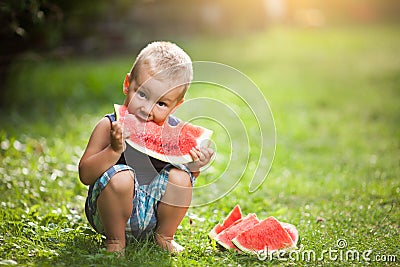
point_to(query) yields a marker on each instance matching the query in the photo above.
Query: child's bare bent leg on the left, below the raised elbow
(115, 207)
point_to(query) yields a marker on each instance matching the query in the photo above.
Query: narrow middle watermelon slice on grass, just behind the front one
(225, 237)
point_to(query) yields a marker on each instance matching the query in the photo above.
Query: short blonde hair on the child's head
(164, 61)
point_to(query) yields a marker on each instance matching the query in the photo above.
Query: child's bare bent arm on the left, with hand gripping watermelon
(103, 150)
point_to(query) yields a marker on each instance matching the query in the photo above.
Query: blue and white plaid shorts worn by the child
(143, 219)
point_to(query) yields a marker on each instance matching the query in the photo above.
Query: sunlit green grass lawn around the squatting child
(334, 94)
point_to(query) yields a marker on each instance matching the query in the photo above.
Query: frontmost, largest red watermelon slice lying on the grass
(267, 235)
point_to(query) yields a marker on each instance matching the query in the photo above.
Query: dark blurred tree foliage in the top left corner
(40, 25)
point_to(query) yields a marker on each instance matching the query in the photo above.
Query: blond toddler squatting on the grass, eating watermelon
(118, 202)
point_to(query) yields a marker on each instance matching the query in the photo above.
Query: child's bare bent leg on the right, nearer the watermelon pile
(172, 208)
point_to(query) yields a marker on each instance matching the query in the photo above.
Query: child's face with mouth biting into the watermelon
(151, 99)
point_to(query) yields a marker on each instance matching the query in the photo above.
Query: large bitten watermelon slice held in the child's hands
(164, 142)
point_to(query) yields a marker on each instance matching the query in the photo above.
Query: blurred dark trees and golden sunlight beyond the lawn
(63, 29)
